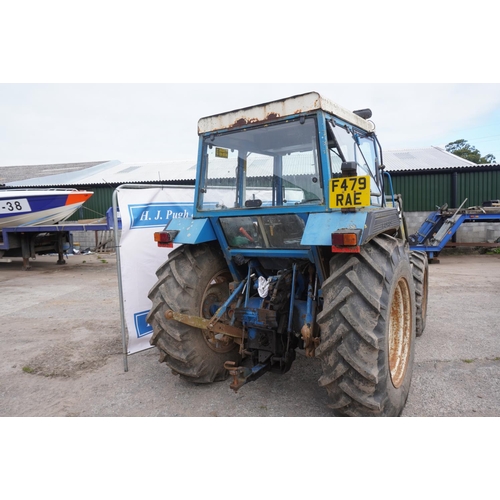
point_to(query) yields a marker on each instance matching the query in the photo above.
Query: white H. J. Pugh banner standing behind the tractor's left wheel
(143, 212)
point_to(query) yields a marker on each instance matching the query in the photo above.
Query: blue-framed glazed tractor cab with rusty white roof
(281, 156)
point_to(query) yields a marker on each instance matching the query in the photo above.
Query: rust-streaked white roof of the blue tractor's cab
(267, 112)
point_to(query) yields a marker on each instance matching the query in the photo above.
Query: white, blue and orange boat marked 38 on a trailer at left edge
(39, 207)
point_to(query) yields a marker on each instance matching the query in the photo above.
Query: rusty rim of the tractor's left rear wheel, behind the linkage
(216, 293)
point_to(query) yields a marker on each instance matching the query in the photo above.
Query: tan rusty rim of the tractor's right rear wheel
(400, 332)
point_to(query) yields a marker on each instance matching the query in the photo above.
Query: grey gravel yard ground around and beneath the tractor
(62, 351)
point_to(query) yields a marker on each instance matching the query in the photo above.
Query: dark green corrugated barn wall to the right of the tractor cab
(423, 192)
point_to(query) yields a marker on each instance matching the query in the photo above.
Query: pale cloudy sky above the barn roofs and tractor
(50, 123)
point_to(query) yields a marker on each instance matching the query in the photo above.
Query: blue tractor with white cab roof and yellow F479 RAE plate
(292, 245)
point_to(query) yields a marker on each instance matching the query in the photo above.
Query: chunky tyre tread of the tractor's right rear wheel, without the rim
(352, 325)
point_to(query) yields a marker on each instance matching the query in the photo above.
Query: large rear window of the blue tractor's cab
(269, 166)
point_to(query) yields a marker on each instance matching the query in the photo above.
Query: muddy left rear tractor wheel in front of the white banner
(193, 281)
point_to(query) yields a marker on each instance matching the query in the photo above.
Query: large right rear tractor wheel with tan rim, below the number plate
(368, 330)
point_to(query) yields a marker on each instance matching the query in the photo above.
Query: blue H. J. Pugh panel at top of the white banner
(158, 214)
